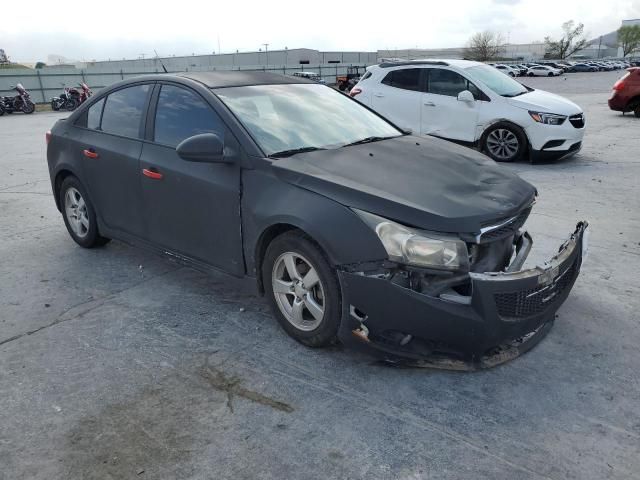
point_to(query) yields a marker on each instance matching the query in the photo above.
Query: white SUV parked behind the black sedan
(475, 104)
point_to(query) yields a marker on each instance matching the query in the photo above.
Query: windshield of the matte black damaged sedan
(291, 117)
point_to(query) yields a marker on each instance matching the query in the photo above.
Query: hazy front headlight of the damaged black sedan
(419, 248)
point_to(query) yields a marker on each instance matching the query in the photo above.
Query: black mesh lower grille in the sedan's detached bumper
(514, 306)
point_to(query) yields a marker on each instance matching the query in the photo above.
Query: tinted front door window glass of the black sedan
(181, 114)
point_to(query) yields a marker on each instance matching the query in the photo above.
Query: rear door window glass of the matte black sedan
(123, 111)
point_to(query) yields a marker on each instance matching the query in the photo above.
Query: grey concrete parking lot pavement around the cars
(115, 363)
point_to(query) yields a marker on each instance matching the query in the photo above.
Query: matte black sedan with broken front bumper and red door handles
(246, 173)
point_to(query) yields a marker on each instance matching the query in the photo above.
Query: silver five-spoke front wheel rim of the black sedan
(298, 291)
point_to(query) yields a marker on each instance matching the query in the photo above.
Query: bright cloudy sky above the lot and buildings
(127, 29)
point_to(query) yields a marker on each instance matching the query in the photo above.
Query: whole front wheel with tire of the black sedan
(303, 289)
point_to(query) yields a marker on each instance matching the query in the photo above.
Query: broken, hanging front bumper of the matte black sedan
(503, 315)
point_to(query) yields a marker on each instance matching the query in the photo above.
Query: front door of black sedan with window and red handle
(191, 208)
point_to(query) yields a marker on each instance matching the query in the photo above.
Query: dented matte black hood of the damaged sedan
(422, 182)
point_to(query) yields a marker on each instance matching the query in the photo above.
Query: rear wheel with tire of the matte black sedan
(79, 214)
